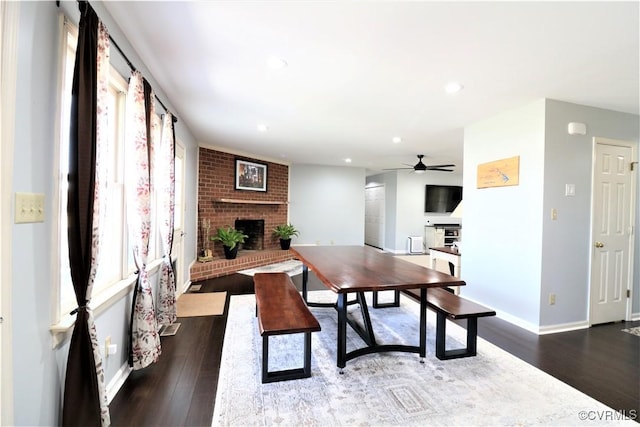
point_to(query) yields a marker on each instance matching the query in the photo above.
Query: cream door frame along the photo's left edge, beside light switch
(9, 25)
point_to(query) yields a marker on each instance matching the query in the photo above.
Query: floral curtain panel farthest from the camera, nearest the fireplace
(165, 184)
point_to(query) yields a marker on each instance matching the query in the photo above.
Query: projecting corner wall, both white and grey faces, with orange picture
(514, 254)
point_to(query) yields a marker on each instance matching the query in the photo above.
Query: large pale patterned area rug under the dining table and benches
(494, 388)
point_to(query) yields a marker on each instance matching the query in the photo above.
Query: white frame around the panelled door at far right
(632, 219)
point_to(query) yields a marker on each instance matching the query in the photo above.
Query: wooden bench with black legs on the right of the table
(446, 304)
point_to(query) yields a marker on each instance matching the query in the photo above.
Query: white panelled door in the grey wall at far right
(612, 212)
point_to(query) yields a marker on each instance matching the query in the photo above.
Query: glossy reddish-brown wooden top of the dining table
(361, 268)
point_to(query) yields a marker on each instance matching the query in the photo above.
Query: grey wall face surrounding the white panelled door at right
(566, 241)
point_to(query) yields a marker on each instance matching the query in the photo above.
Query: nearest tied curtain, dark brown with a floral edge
(85, 397)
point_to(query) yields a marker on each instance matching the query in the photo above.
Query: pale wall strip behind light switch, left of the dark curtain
(36, 384)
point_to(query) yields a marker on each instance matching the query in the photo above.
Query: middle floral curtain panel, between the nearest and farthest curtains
(145, 340)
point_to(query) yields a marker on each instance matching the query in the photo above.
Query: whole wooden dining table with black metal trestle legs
(354, 270)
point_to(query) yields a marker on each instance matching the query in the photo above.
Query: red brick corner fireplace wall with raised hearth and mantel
(221, 205)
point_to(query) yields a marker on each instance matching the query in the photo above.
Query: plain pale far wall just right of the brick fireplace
(327, 204)
